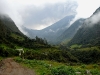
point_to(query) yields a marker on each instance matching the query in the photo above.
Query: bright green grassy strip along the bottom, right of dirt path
(44, 67)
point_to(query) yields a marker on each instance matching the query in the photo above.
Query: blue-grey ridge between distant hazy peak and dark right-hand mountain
(71, 31)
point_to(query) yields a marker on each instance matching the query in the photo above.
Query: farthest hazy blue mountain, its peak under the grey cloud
(52, 32)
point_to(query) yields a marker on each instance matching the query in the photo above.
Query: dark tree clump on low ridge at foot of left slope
(35, 43)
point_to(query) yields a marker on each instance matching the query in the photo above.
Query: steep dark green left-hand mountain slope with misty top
(9, 33)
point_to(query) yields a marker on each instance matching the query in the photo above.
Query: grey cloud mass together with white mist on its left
(37, 16)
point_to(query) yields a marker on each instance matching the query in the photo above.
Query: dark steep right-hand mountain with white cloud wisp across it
(89, 33)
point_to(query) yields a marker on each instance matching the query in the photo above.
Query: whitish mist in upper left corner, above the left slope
(9, 8)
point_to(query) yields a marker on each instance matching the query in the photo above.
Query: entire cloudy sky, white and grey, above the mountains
(38, 14)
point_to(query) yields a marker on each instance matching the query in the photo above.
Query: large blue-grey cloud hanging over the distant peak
(48, 14)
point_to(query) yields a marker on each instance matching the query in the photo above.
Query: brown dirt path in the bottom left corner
(10, 67)
